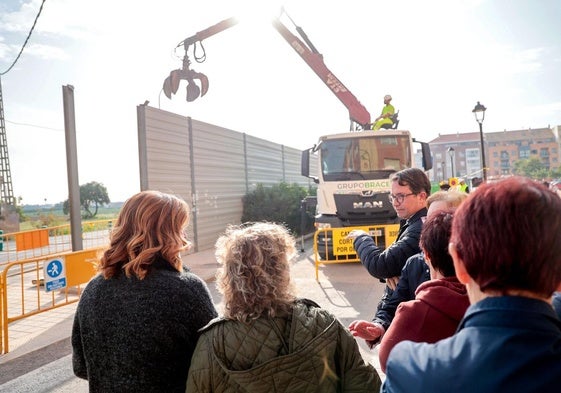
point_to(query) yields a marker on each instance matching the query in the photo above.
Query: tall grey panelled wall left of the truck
(211, 167)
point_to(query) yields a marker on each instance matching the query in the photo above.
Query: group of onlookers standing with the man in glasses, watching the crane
(472, 302)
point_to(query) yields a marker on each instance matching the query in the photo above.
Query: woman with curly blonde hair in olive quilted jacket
(268, 339)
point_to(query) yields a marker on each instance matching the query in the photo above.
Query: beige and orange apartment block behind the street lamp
(459, 155)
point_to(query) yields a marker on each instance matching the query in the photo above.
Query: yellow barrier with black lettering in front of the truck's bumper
(332, 246)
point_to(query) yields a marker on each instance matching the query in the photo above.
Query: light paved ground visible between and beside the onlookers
(345, 289)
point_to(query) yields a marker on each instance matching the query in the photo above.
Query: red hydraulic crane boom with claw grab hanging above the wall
(357, 112)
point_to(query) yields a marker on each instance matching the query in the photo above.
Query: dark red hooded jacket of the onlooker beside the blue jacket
(435, 314)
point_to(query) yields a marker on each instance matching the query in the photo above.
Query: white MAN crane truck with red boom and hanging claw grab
(354, 168)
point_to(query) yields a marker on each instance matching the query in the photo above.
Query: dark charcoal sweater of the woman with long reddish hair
(132, 335)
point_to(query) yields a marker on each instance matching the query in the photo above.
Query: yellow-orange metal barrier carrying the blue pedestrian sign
(36, 285)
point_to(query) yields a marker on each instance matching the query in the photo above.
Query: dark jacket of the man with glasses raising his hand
(386, 263)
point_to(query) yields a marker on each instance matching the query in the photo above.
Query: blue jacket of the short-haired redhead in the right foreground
(503, 344)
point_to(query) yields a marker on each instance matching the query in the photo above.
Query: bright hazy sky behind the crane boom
(436, 58)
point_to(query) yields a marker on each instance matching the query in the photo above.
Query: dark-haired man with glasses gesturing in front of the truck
(409, 191)
